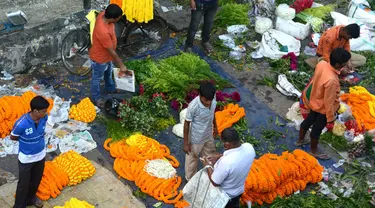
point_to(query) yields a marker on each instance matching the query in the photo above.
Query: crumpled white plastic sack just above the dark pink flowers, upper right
(270, 47)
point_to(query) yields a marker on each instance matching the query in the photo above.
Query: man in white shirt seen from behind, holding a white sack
(230, 169)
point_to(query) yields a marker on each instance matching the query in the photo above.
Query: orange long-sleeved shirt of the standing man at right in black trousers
(322, 95)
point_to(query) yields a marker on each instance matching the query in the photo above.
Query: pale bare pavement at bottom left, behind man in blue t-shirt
(103, 190)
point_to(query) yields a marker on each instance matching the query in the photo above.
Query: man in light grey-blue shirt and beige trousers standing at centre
(200, 128)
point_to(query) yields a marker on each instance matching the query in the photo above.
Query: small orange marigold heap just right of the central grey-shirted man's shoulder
(230, 115)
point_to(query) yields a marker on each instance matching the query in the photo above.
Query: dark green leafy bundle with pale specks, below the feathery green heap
(145, 115)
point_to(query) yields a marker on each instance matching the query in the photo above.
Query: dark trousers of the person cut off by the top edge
(207, 11)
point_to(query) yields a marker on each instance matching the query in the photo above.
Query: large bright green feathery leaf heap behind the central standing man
(180, 74)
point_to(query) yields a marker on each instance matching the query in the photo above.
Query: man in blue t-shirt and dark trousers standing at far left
(29, 131)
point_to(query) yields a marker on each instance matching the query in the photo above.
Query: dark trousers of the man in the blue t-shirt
(30, 175)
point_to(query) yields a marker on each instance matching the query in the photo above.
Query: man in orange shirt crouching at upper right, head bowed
(338, 37)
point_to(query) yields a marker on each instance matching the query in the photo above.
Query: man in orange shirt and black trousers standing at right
(322, 98)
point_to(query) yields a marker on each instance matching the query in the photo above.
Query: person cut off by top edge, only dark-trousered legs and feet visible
(199, 9)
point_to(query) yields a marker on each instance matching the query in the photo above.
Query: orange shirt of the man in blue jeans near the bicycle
(103, 37)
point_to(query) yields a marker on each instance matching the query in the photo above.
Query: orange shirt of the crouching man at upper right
(329, 41)
